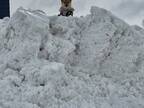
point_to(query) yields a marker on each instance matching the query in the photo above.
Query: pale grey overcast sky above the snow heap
(132, 11)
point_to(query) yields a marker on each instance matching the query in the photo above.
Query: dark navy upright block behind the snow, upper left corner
(4, 8)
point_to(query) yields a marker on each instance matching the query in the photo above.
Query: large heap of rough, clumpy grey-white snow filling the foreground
(96, 61)
